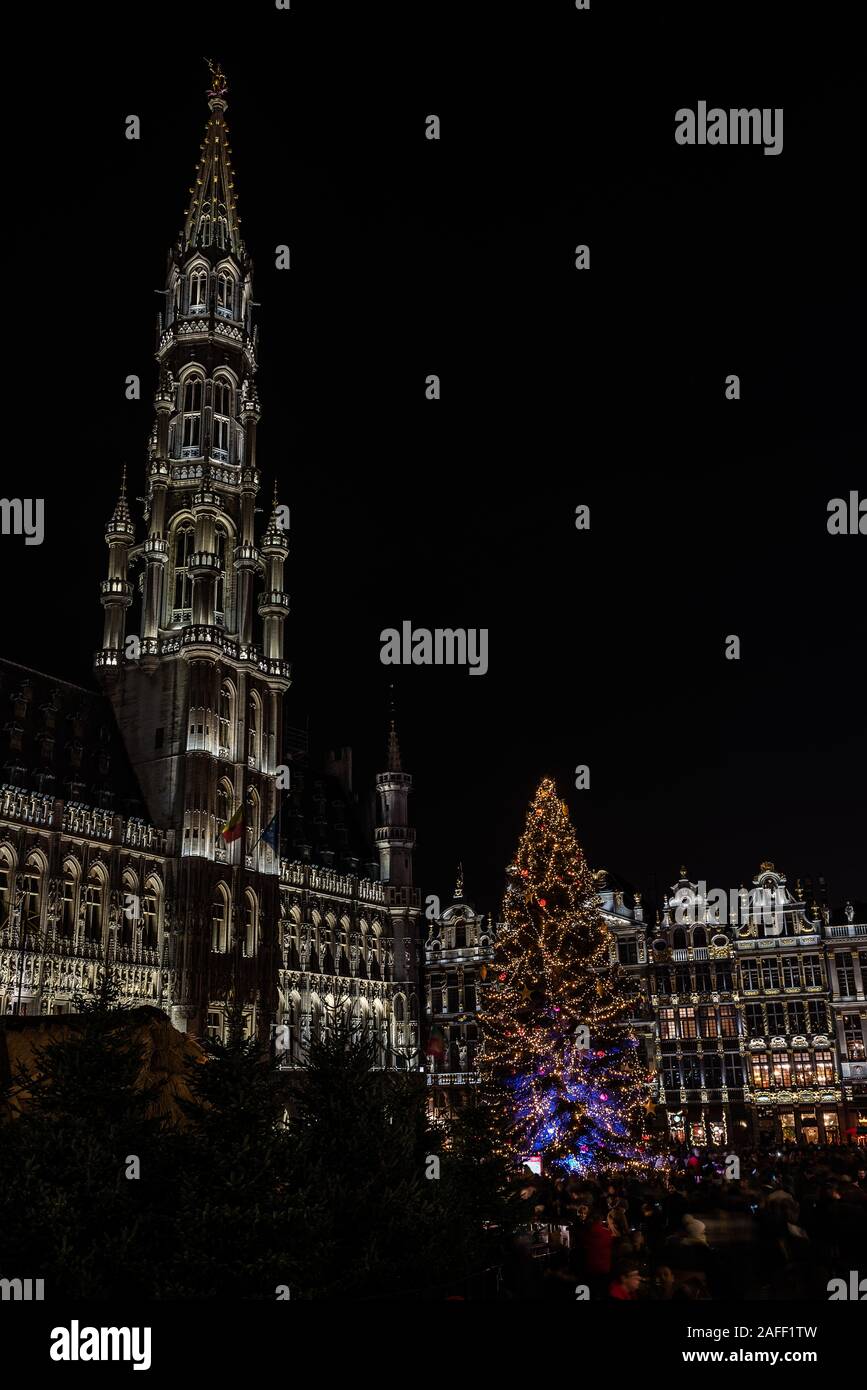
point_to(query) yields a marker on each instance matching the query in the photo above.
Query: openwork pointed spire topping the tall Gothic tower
(212, 218)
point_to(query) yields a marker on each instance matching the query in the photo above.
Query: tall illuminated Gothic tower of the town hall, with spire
(198, 687)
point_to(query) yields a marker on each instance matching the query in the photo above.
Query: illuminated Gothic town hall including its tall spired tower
(113, 806)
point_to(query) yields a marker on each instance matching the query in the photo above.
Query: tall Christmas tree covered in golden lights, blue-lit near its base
(561, 1067)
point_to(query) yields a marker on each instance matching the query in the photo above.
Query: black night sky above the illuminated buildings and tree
(558, 389)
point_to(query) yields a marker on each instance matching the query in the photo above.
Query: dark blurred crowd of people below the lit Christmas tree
(783, 1228)
